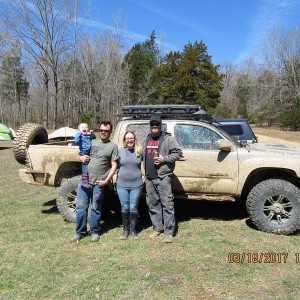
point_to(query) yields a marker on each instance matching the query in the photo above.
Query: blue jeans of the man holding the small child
(85, 196)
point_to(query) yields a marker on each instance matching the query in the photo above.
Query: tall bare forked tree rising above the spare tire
(43, 28)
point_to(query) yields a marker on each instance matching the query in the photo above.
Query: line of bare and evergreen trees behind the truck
(54, 74)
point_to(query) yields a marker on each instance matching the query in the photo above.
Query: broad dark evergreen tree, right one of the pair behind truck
(189, 77)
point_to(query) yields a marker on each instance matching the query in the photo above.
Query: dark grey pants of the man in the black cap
(161, 205)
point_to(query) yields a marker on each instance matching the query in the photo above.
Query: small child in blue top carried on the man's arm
(83, 138)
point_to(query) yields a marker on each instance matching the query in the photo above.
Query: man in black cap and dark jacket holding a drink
(160, 153)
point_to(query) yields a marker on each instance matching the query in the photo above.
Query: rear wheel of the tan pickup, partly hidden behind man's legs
(66, 199)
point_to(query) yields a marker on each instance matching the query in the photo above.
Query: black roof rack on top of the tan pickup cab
(172, 111)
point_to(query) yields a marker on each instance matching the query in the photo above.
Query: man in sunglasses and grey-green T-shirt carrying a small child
(101, 168)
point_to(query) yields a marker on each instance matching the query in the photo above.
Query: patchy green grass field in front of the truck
(38, 262)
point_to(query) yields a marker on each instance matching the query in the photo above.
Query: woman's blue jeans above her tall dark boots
(129, 198)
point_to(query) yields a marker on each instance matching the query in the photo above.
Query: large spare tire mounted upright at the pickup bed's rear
(28, 134)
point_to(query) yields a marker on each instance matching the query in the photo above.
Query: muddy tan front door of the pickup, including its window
(205, 169)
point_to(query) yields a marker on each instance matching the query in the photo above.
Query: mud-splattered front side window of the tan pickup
(196, 137)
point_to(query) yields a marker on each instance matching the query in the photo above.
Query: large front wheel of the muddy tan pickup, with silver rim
(274, 206)
